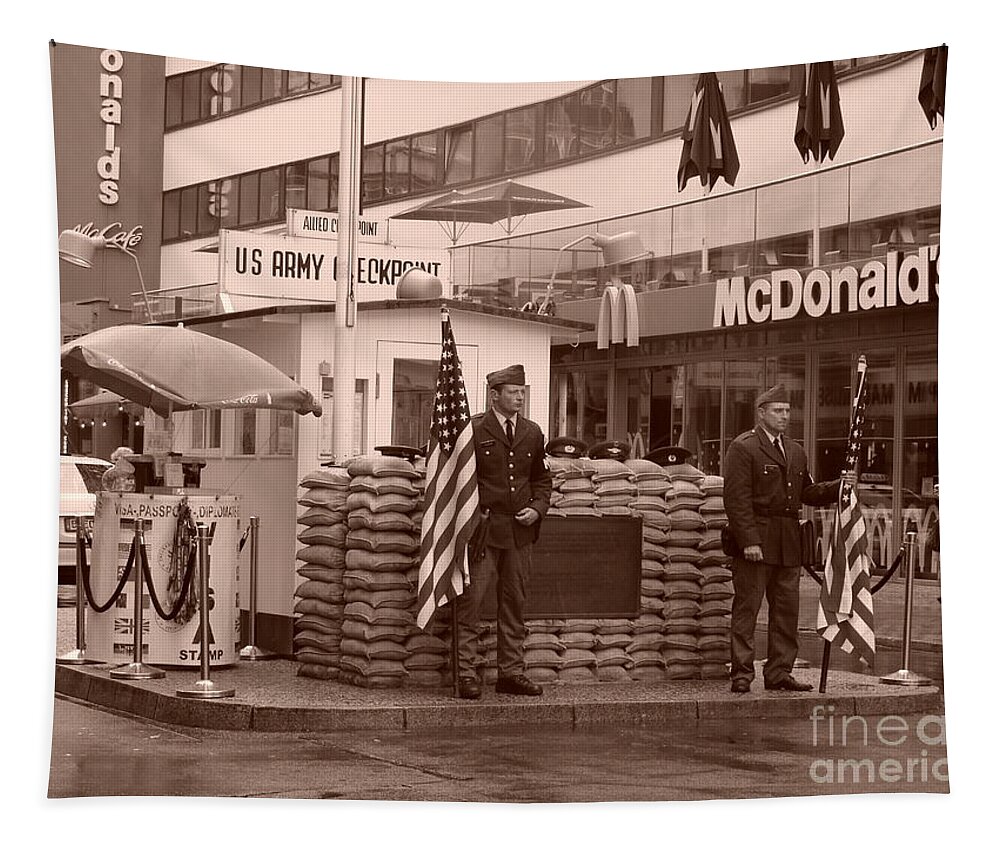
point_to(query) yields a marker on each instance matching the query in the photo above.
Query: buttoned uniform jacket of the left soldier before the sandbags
(511, 477)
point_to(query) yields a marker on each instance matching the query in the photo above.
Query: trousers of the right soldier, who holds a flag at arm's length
(752, 581)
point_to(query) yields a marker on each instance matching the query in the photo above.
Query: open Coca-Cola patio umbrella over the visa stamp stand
(173, 368)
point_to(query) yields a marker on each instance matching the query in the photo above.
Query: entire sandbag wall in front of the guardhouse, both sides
(356, 603)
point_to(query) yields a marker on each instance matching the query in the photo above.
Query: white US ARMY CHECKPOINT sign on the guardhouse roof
(262, 267)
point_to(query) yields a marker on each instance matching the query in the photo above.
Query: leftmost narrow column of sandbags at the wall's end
(319, 606)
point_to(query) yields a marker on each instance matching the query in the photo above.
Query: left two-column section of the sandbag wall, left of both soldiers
(355, 610)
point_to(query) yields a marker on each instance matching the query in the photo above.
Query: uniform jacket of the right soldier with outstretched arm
(763, 493)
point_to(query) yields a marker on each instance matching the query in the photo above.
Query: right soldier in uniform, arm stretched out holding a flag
(766, 482)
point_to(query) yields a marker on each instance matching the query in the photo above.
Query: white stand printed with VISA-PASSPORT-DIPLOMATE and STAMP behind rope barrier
(178, 642)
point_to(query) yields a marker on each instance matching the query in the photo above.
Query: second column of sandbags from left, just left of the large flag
(383, 540)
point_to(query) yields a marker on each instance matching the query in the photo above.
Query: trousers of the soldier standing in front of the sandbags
(511, 569)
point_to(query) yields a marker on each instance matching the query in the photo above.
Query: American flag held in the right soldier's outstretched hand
(846, 617)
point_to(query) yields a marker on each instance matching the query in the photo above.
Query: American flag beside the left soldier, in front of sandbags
(451, 499)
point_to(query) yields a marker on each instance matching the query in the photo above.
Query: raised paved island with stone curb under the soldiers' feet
(271, 697)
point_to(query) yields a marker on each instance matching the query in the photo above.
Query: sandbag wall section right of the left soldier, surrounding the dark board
(682, 631)
